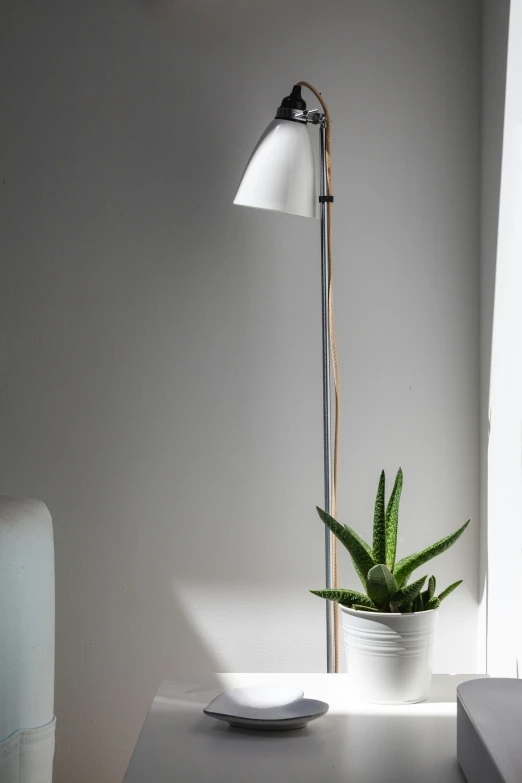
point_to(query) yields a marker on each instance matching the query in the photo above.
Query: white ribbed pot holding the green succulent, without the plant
(389, 656)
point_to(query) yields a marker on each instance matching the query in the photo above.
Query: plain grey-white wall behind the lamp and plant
(161, 348)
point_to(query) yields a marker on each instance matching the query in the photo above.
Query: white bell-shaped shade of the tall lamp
(281, 172)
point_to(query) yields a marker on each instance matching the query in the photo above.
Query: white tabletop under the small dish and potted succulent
(353, 743)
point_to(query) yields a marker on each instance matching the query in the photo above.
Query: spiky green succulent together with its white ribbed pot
(388, 629)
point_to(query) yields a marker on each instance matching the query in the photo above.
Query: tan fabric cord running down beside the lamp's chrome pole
(333, 350)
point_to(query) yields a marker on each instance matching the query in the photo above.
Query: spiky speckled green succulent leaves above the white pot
(384, 580)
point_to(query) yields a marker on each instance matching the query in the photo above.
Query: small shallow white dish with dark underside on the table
(266, 707)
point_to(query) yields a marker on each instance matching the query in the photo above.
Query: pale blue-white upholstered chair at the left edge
(26, 642)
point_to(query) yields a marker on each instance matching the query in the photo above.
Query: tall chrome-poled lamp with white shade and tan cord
(281, 176)
